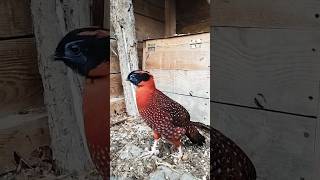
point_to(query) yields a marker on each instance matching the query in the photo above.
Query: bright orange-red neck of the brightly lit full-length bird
(144, 93)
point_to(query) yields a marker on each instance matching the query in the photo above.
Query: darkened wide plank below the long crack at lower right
(281, 146)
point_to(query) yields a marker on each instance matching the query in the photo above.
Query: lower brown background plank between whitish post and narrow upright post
(147, 28)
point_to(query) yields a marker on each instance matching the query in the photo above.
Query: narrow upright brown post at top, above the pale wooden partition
(170, 18)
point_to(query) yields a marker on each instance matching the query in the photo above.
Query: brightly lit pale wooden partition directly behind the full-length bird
(182, 71)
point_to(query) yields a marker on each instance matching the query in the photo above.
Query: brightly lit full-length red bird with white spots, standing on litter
(166, 117)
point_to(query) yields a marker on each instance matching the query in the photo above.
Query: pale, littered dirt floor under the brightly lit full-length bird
(131, 137)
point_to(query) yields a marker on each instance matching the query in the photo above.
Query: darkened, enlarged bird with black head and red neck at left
(86, 51)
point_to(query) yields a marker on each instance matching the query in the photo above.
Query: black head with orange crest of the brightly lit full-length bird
(140, 78)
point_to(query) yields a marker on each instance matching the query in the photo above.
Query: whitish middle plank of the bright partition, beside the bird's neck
(192, 83)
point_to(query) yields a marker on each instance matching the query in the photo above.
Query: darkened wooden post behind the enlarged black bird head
(62, 87)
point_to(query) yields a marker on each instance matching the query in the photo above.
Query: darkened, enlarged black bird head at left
(84, 49)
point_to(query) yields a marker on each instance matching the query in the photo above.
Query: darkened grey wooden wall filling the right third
(265, 76)
